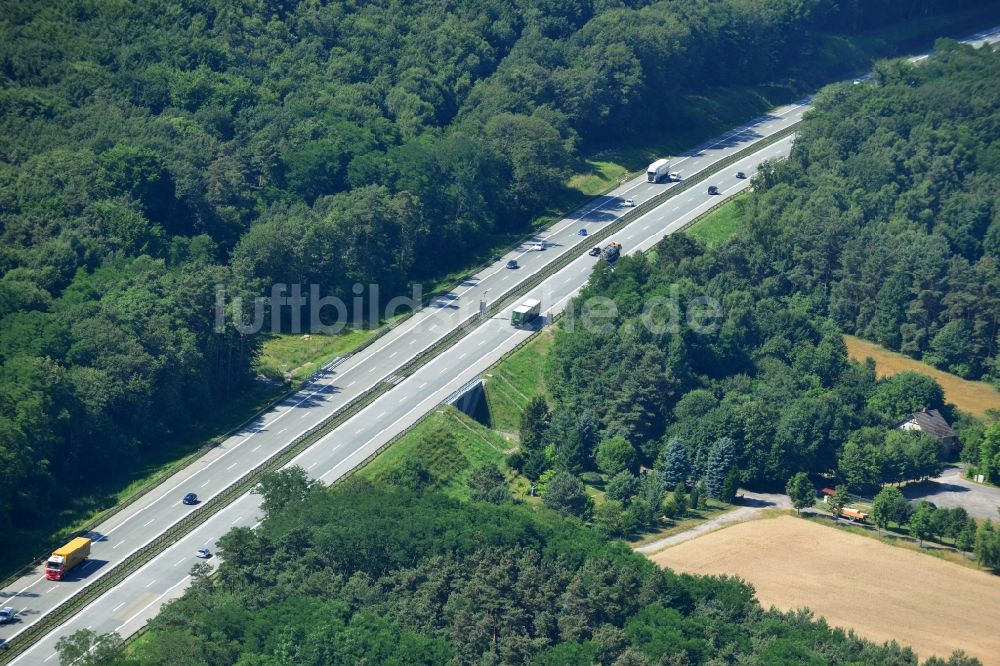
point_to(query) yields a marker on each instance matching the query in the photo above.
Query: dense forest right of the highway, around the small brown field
(770, 391)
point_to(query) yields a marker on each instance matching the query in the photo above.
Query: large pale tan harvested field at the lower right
(880, 591)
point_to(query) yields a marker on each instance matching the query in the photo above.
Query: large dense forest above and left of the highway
(152, 150)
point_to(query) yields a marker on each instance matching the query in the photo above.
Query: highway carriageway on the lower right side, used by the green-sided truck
(128, 606)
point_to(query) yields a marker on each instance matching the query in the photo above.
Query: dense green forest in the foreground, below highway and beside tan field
(366, 574)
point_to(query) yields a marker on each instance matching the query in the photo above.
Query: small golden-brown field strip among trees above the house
(972, 397)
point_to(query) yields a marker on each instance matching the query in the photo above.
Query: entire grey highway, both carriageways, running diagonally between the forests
(129, 605)
